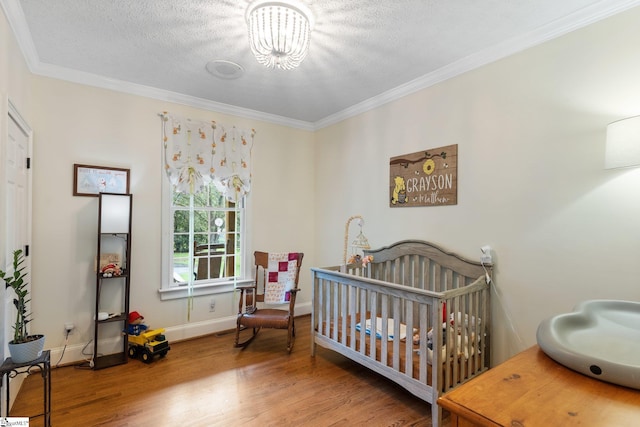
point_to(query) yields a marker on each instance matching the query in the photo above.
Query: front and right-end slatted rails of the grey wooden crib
(341, 302)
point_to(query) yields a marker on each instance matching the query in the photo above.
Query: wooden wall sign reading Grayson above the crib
(425, 178)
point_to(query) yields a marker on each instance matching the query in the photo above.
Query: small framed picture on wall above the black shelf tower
(93, 180)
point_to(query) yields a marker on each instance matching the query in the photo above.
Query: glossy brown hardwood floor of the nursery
(207, 382)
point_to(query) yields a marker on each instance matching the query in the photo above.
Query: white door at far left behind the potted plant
(16, 227)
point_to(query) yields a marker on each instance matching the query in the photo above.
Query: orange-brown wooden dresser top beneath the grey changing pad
(532, 390)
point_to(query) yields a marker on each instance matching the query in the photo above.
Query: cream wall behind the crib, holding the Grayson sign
(530, 131)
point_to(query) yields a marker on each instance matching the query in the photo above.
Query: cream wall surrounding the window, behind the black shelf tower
(79, 124)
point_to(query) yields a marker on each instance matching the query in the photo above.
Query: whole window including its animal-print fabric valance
(208, 171)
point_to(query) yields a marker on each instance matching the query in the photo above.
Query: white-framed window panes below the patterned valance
(204, 242)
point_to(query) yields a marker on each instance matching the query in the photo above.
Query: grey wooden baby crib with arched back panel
(416, 314)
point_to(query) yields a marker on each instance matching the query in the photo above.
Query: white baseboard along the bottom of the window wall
(73, 353)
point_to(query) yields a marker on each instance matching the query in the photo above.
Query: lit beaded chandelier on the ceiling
(279, 32)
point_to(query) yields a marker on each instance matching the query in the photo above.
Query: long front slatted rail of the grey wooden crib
(341, 302)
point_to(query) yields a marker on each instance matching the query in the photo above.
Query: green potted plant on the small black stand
(24, 347)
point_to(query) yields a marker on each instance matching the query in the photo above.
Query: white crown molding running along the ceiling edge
(586, 16)
